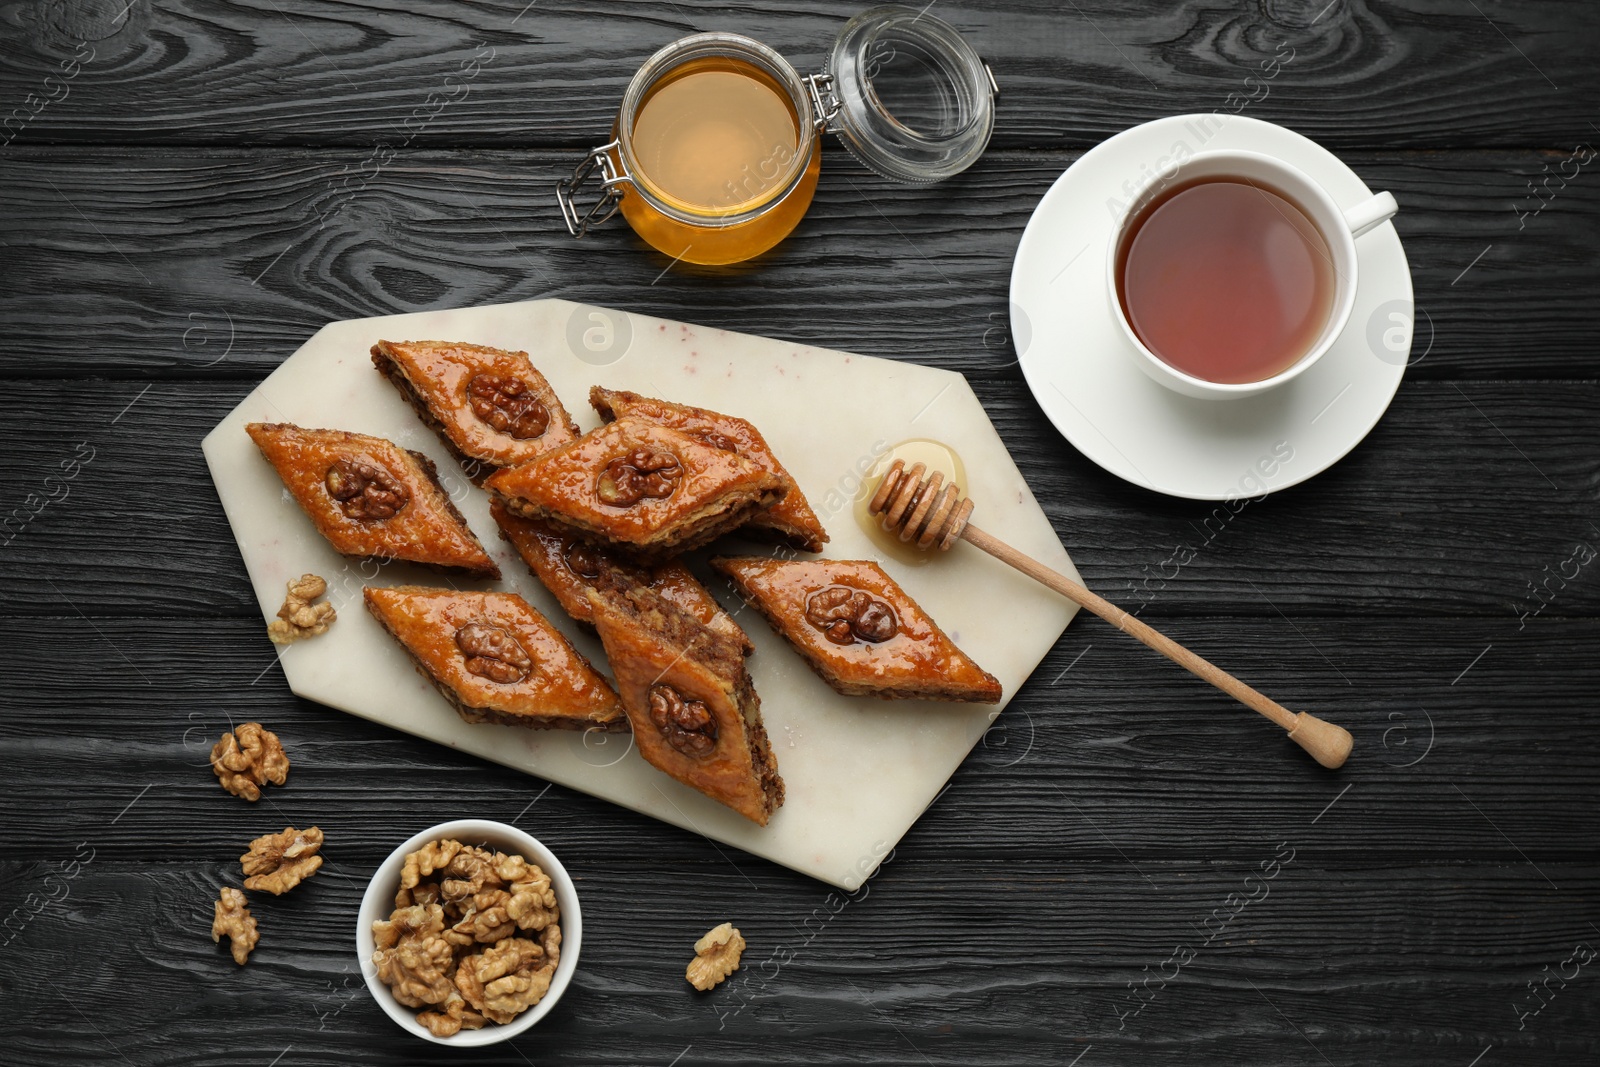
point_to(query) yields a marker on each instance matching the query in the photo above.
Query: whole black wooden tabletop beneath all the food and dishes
(178, 217)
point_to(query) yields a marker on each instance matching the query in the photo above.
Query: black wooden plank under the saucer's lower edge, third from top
(1487, 527)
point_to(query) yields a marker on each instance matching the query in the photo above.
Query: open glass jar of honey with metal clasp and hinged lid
(716, 151)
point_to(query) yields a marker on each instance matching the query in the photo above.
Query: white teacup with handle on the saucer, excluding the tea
(1338, 228)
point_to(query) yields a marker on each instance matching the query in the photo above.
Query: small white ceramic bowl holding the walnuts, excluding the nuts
(378, 903)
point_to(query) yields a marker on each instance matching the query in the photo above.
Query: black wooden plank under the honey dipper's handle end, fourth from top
(1102, 756)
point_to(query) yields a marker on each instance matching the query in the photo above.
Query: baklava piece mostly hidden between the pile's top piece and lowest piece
(570, 569)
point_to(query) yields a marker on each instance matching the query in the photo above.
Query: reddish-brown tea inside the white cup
(1226, 279)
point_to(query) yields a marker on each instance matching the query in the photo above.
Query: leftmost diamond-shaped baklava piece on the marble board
(372, 498)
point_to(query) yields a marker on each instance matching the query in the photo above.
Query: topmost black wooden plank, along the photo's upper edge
(1394, 74)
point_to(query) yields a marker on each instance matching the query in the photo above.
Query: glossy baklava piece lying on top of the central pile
(646, 490)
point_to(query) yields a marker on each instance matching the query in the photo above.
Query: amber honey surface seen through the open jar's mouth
(716, 137)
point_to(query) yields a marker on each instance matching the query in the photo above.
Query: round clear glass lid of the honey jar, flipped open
(916, 102)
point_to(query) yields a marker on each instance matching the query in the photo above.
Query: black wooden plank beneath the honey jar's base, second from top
(220, 263)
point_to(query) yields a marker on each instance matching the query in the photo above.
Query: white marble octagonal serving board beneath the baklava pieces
(858, 772)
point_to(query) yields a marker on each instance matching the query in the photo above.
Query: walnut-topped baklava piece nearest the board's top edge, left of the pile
(490, 407)
